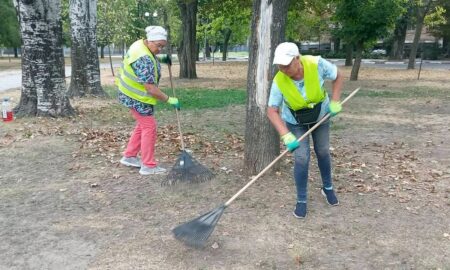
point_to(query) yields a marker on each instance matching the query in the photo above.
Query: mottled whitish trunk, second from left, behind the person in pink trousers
(85, 79)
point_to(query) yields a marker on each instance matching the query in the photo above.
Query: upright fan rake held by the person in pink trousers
(186, 168)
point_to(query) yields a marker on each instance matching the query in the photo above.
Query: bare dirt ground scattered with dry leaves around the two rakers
(66, 203)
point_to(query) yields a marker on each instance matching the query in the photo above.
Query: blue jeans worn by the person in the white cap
(321, 140)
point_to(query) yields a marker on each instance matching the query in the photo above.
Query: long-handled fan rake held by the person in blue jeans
(195, 232)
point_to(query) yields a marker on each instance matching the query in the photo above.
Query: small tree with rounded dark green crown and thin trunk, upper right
(362, 22)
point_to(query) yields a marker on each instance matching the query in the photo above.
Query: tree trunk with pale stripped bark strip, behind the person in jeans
(262, 142)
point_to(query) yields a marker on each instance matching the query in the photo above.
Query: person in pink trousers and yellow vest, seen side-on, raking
(139, 91)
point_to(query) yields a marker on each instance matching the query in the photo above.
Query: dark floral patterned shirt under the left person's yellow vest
(143, 68)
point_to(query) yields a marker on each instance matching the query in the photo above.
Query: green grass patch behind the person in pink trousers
(199, 98)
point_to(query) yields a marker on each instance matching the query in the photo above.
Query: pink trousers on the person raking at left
(143, 139)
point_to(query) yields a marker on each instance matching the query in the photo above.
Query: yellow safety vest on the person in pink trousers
(128, 83)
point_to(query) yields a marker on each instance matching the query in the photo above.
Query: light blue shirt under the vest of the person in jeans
(327, 71)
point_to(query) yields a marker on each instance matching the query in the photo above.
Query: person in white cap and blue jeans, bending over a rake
(298, 91)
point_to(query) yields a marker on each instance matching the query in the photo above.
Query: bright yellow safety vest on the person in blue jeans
(314, 92)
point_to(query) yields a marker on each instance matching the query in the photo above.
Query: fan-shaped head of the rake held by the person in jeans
(194, 233)
